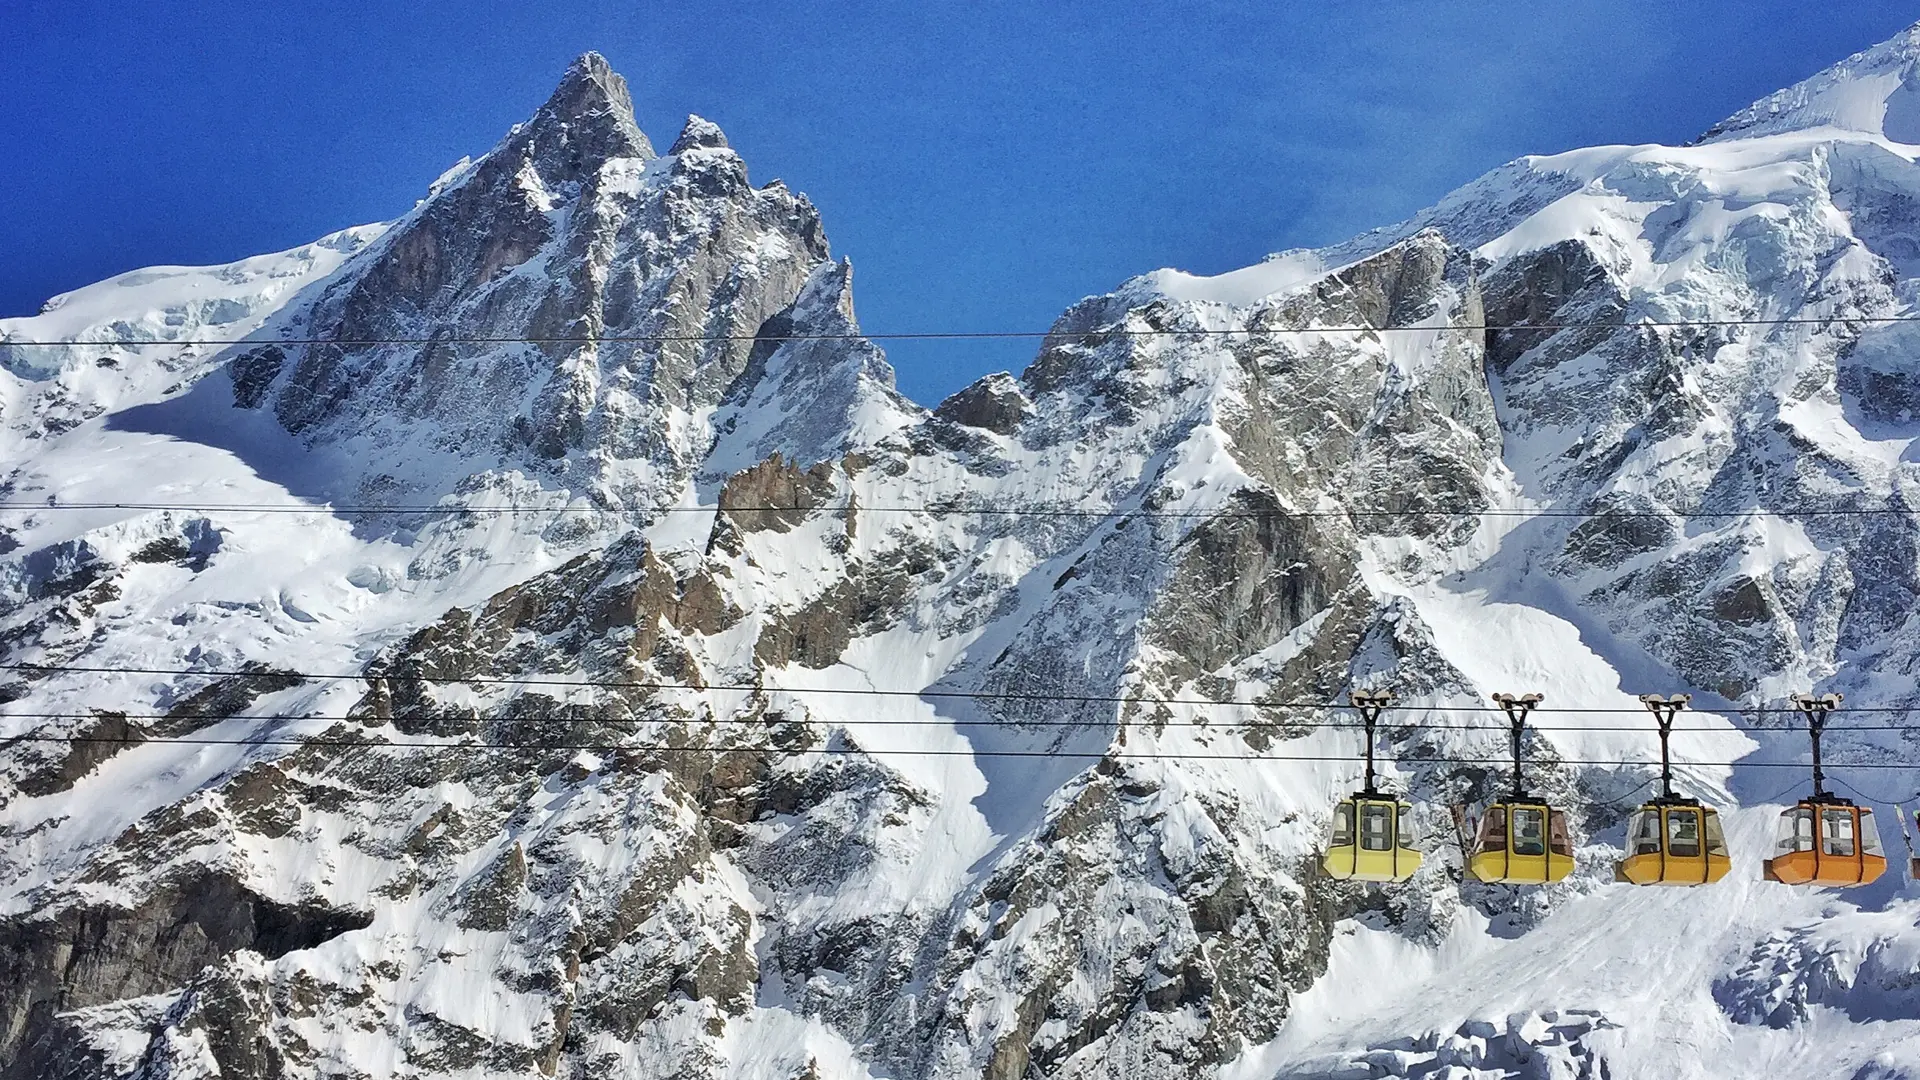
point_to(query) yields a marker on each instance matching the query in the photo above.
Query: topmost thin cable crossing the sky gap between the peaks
(978, 335)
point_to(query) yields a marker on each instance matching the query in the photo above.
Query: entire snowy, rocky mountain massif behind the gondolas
(550, 647)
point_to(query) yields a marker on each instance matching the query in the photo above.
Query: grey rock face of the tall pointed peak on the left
(642, 283)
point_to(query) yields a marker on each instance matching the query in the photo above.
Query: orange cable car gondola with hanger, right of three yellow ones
(1825, 841)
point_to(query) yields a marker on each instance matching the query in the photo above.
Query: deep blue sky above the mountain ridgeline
(982, 162)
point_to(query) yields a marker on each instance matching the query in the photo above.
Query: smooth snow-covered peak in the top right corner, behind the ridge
(1875, 91)
